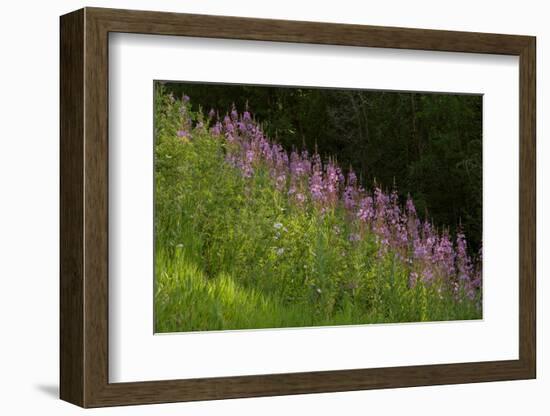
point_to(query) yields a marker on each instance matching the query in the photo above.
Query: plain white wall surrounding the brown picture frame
(29, 160)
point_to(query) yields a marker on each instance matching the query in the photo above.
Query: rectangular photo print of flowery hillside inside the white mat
(281, 207)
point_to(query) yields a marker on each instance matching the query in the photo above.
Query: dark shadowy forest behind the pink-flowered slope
(427, 145)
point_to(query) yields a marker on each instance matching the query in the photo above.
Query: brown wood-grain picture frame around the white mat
(84, 207)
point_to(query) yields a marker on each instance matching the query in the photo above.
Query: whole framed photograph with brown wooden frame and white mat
(255, 207)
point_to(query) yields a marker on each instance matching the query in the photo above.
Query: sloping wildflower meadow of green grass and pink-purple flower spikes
(250, 234)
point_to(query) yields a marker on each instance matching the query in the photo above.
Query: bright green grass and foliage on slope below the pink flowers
(223, 262)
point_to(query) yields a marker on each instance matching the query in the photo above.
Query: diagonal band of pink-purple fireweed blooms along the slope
(397, 229)
